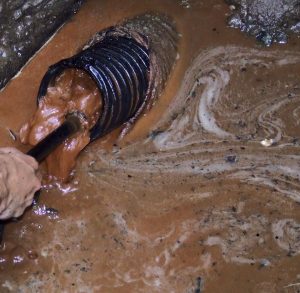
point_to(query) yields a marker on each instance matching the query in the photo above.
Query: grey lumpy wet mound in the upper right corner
(268, 20)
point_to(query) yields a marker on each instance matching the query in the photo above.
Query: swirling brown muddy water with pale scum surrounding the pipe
(203, 193)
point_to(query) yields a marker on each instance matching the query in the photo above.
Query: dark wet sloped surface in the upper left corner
(25, 26)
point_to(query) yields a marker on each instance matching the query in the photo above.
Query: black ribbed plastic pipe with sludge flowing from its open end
(120, 67)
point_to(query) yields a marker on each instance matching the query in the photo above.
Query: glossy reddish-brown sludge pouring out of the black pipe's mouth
(73, 91)
